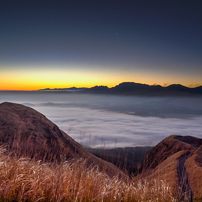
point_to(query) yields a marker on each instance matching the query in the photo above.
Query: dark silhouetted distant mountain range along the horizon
(131, 88)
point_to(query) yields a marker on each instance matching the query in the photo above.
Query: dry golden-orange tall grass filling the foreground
(23, 179)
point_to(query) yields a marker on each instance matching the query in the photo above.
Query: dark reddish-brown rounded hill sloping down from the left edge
(27, 132)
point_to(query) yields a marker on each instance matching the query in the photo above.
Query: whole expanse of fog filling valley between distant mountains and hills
(110, 120)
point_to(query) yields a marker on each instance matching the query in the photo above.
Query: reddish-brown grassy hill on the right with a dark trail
(178, 160)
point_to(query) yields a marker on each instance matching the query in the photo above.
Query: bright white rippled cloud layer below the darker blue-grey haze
(109, 129)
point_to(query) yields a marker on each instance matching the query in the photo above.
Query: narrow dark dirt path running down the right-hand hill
(185, 188)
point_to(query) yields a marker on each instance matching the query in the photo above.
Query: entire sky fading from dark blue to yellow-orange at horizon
(83, 43)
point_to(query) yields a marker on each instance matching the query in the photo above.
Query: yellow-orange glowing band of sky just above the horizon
(29, 80)
